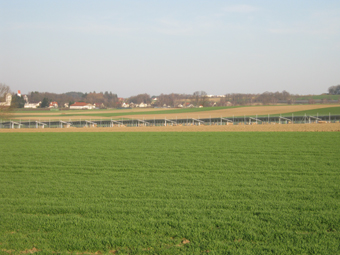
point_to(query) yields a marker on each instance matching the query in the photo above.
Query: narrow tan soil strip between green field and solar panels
(326, 127)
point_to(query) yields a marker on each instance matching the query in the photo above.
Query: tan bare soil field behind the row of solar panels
(229, 112)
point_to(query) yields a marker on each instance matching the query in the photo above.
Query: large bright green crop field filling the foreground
(146, 193)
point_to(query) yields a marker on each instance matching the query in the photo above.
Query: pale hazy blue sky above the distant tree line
(157, 46)
